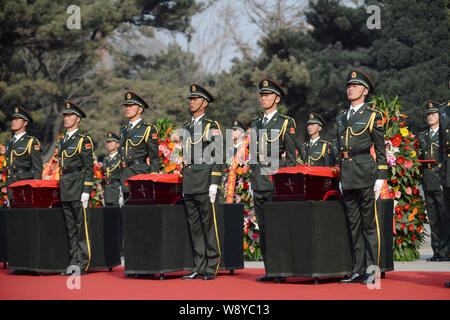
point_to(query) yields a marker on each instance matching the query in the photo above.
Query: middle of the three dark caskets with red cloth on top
(148, 189)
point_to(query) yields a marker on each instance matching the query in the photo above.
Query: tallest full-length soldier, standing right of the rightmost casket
(361, 177)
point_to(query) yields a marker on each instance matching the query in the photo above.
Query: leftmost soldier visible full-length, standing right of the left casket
(76, 164)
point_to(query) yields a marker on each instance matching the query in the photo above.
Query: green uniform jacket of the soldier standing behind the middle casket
(135, 146)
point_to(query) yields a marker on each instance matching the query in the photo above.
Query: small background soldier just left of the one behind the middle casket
(112, 171)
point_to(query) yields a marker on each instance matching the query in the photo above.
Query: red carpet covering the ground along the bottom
(240, 286)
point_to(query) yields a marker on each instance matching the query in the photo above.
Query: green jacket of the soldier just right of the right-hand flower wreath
(429, 150)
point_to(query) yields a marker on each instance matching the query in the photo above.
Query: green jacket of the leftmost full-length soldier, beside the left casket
(76, 165)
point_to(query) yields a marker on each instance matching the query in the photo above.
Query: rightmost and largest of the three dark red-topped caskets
(306, 183)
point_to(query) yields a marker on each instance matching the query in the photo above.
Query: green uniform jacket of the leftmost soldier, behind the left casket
(23, 160)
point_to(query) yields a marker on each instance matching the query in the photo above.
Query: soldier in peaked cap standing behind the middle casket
(138, 141)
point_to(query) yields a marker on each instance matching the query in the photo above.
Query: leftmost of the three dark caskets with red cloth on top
(35, 194)
